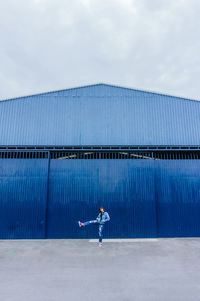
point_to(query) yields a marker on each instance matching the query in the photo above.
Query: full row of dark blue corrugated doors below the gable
(145, 198)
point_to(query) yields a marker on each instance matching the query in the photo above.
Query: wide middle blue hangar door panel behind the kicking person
(125, 188)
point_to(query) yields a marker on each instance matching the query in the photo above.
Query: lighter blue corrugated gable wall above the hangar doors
(100, 115)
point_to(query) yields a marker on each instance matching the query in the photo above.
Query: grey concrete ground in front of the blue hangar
(58, 270)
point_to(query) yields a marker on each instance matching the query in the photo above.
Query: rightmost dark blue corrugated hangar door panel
(178, 197)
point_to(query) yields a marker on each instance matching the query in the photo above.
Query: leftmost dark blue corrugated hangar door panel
(23, 185)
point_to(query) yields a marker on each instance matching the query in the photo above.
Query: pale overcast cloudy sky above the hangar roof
(54, 44)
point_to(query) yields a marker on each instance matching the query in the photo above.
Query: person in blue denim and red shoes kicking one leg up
(101, 219)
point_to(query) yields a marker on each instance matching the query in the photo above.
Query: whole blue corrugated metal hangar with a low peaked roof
(65, 153)
